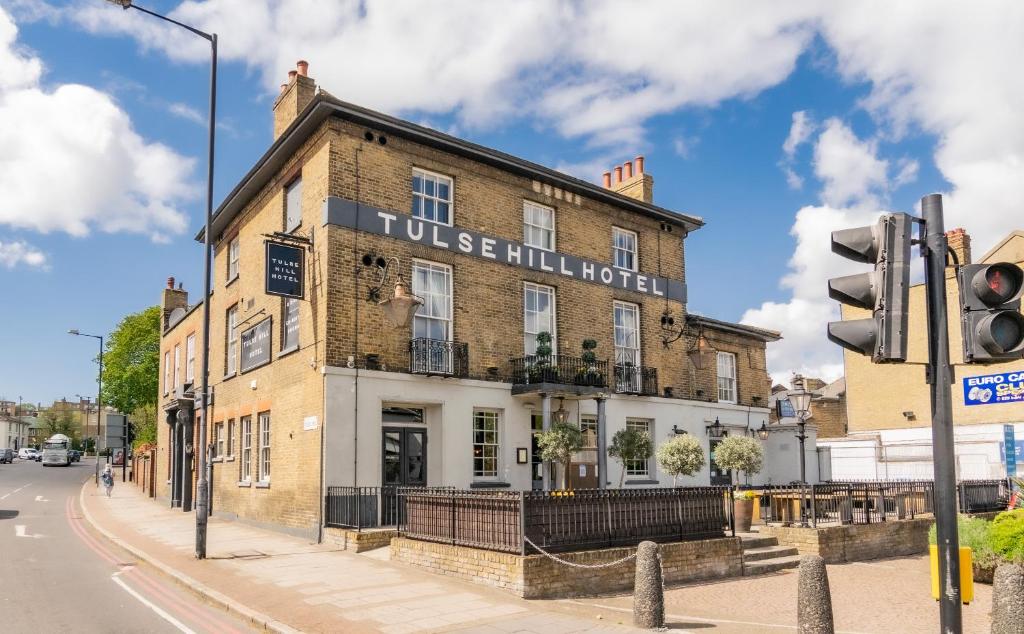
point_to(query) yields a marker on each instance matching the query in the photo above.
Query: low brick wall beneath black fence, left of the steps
(536, 577)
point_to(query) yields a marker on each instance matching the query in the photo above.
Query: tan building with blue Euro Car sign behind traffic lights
(888, 406)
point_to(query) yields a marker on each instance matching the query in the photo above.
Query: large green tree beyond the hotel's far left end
(132, 362)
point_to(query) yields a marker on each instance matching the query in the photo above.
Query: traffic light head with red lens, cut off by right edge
(991, 319)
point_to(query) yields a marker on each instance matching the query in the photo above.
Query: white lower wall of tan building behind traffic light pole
(891, 454)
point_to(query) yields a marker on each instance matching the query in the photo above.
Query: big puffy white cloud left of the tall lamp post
(73, 162)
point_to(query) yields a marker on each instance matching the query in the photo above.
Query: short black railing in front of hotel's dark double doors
(367, 508)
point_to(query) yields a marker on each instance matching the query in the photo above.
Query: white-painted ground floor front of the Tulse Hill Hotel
(392, 429)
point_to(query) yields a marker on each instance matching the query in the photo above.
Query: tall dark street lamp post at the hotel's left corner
(203, 485)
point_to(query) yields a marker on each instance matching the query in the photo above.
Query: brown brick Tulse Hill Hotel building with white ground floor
(327, 391)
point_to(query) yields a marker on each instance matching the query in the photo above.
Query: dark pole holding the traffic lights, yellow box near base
(941, 378)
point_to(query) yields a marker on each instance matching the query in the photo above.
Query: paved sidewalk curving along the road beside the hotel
(287, 584)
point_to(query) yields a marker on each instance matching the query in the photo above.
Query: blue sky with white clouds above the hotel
(91, 229)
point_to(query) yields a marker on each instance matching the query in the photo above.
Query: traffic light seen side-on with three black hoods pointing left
(884, 291)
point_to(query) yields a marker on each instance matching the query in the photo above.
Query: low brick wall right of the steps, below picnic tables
(859, 542)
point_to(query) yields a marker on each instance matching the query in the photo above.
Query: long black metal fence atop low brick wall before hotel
(510, 522)
